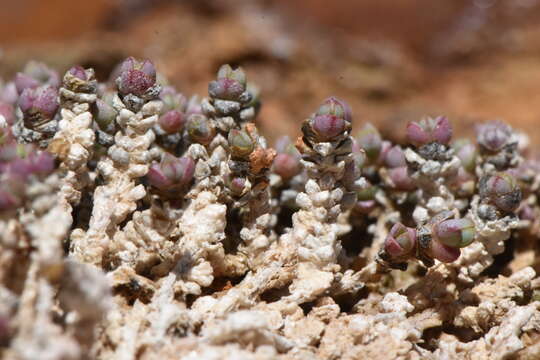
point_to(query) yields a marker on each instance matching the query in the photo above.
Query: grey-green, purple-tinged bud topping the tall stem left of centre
(230, 84)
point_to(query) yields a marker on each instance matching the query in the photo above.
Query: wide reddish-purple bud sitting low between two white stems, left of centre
(171, 173)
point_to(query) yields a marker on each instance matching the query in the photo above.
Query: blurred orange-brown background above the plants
(392, 60)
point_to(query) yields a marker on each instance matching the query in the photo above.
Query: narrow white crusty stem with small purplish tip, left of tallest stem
(74, 140)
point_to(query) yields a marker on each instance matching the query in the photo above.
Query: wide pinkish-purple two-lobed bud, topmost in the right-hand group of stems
(429, 130)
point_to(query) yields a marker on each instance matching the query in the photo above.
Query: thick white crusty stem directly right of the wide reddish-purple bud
(202, 225)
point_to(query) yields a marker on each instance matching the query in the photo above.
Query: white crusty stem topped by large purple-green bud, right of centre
(326, 149)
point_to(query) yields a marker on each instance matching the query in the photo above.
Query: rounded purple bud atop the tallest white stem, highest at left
(136, 77)
